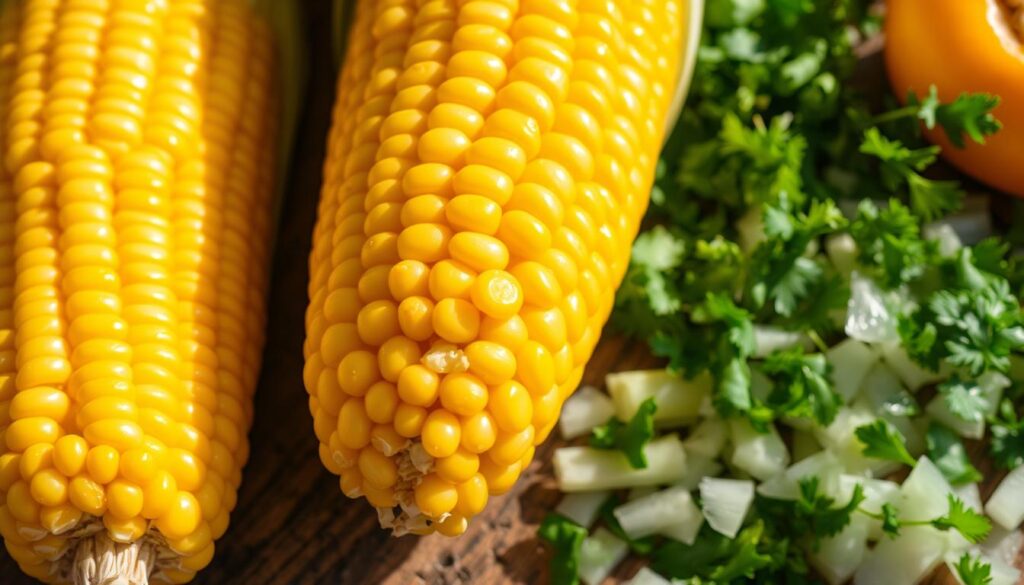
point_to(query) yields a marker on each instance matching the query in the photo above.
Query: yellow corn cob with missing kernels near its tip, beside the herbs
(488, 168)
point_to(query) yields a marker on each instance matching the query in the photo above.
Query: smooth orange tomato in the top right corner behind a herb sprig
(964, 46)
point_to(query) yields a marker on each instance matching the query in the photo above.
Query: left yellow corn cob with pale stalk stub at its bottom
(137, 190)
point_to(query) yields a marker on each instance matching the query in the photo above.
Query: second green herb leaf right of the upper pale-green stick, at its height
(802, 386)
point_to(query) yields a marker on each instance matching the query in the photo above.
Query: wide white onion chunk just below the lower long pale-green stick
(672, 509)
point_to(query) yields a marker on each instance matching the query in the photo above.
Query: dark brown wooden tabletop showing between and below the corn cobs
(292, 525)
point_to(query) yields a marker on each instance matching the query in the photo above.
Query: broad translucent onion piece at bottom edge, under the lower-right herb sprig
(904, 561)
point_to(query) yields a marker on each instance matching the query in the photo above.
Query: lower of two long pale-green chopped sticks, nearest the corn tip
(588, 470)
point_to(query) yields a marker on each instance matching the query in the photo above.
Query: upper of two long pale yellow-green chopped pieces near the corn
(679, 401)
